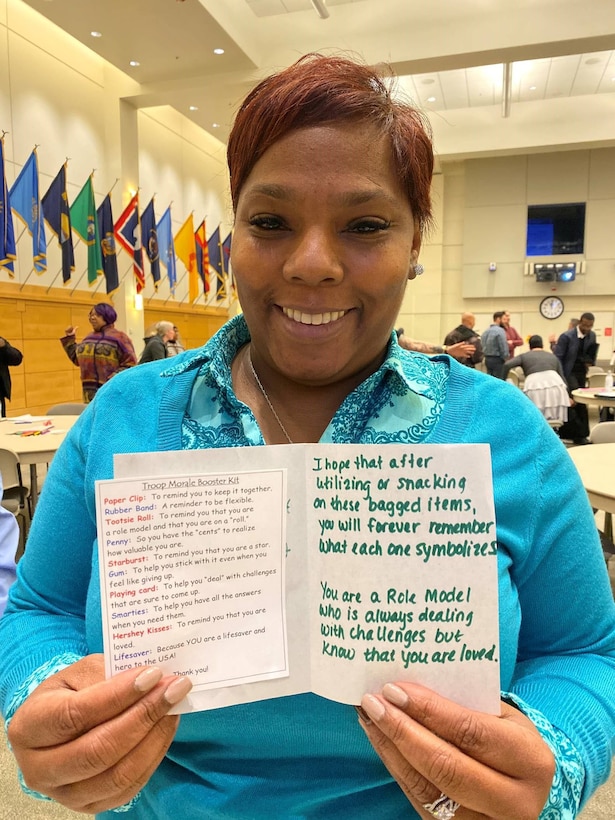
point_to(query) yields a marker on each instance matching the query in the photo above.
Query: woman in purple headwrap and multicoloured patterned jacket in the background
(102, 353)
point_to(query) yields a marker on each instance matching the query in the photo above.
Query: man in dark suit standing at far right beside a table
(576, 350)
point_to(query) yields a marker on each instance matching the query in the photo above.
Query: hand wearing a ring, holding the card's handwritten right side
(493, 766)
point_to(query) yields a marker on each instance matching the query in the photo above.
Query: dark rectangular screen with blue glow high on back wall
(555, 229)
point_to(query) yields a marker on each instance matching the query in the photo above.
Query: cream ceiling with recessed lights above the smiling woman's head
(448, 54)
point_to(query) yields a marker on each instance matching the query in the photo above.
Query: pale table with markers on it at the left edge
(35, 450)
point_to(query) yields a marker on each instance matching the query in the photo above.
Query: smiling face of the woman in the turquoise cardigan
(323, 246)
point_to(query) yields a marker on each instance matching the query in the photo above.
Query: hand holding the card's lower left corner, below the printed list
(90, 743)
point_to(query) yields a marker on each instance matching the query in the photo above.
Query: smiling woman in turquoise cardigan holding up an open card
(330, 181)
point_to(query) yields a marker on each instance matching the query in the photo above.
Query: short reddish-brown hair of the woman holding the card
(318, 90)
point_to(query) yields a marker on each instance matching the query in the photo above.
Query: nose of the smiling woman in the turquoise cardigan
(314, 259)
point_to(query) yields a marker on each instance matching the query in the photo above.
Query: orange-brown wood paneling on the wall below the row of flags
(34, 320)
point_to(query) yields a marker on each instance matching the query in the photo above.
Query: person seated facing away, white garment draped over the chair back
(544, 381)
